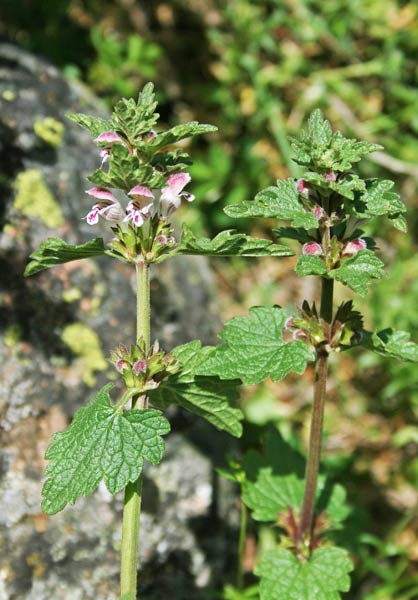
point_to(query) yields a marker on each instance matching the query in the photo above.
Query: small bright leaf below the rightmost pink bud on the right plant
(359, 270)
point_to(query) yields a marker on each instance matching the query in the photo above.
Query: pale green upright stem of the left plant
(133, 491)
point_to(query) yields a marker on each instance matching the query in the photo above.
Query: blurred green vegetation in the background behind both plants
(256, 69)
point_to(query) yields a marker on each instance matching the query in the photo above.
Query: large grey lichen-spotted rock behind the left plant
(57, 330)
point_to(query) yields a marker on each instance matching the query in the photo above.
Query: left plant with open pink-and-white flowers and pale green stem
(138, 186)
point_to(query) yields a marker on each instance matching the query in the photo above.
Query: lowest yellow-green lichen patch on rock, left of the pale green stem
(85, 344)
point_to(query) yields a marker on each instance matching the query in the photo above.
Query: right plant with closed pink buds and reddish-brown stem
(325, 211)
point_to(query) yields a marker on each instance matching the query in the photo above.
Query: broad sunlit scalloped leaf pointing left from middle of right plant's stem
(253, 349)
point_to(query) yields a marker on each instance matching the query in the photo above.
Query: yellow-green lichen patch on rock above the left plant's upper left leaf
(34, 198)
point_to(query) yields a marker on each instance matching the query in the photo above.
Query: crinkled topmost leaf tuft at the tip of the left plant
(134, 119)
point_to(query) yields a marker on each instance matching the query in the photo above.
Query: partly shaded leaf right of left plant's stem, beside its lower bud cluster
(208, 397)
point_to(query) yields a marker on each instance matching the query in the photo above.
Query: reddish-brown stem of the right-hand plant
(315, 438)
